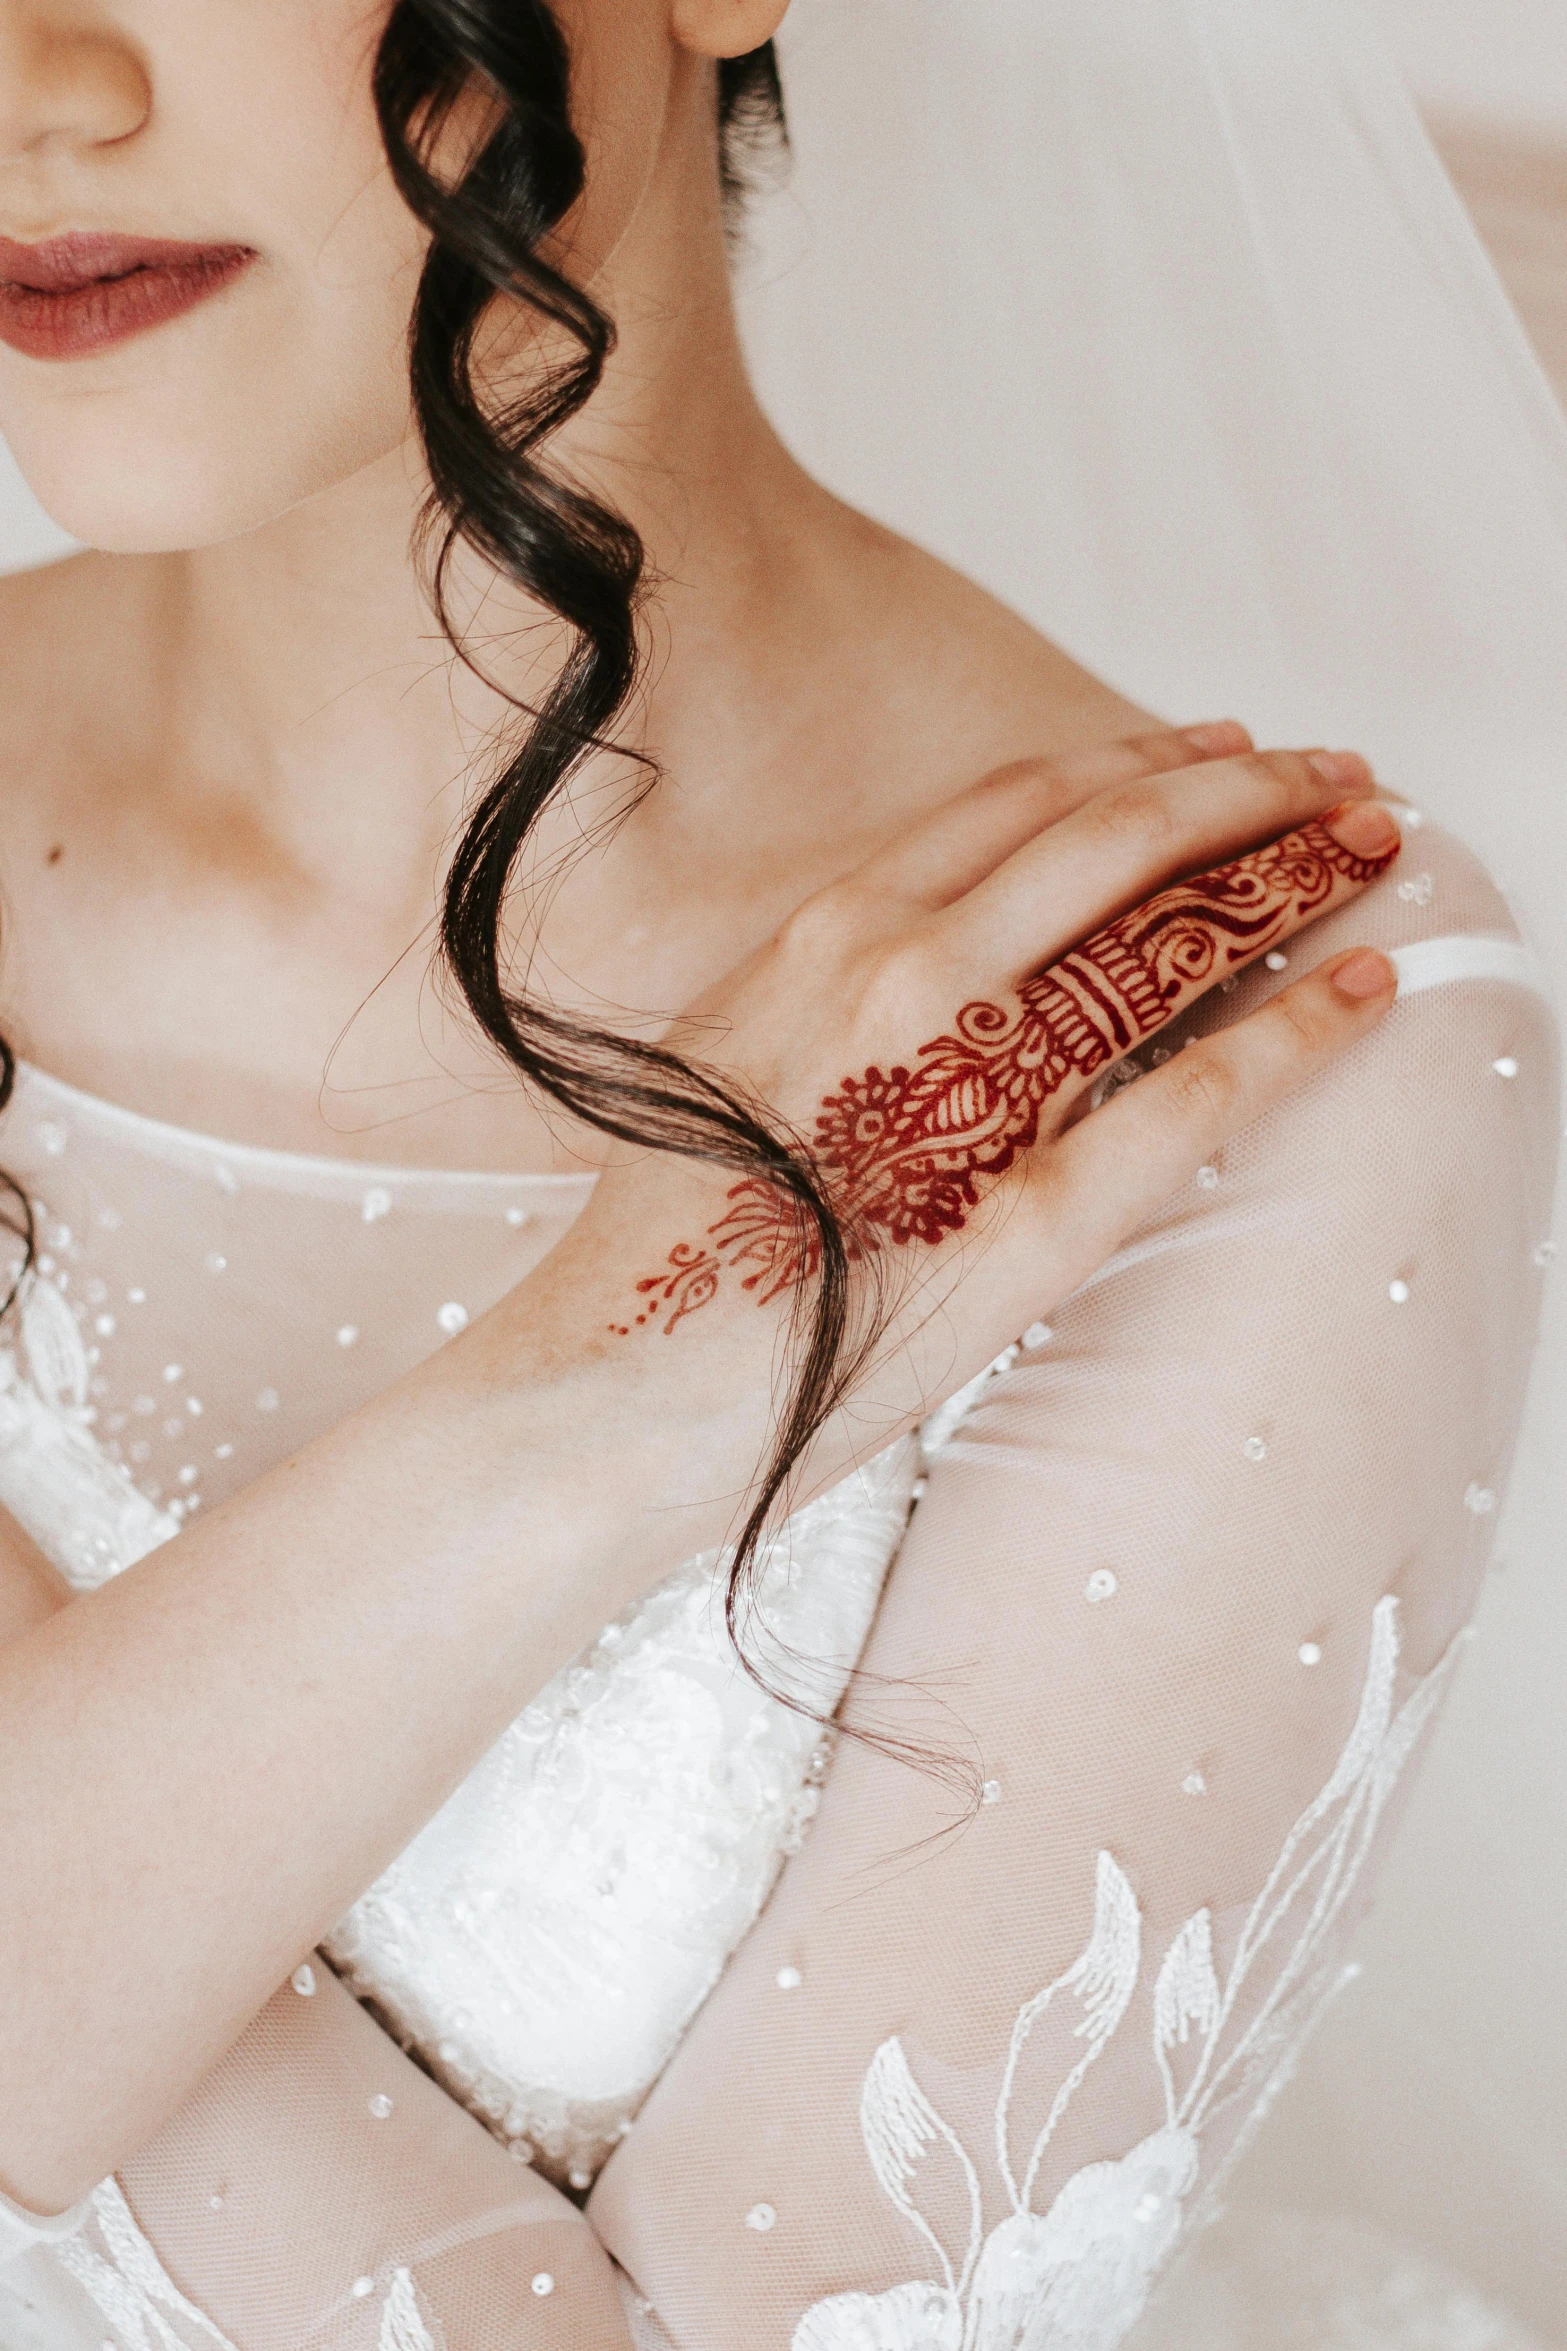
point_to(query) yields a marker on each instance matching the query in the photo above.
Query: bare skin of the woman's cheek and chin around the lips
(295, 377)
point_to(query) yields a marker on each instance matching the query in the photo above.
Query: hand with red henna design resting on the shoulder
(934, 1029)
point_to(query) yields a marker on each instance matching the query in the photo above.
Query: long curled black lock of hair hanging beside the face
(584, 563)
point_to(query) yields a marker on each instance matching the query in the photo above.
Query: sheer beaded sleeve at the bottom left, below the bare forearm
(321, 2195)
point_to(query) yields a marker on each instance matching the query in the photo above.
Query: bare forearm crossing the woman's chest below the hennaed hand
(210, 1760)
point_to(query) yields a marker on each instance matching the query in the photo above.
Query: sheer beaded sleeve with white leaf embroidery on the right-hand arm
(1185, 1590)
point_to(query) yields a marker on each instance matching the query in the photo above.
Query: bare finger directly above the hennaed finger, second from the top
(1134, 840)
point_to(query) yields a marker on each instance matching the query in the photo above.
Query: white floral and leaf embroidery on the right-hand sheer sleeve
(1080, 2277)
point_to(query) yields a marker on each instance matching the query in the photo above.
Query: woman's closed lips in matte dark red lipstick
(86, 293)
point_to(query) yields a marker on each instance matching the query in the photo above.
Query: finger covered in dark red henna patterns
(1141, 972)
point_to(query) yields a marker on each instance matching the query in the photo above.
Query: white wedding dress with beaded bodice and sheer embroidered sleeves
(842, 2054)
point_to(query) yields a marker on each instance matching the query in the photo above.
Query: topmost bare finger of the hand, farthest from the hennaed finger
(967, 838)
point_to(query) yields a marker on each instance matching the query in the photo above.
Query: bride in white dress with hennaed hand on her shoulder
(800, 1673)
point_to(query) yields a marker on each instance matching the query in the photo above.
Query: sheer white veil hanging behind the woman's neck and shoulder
(1164, 321)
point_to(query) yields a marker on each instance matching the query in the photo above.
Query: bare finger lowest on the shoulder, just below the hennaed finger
(1124, 1160)
